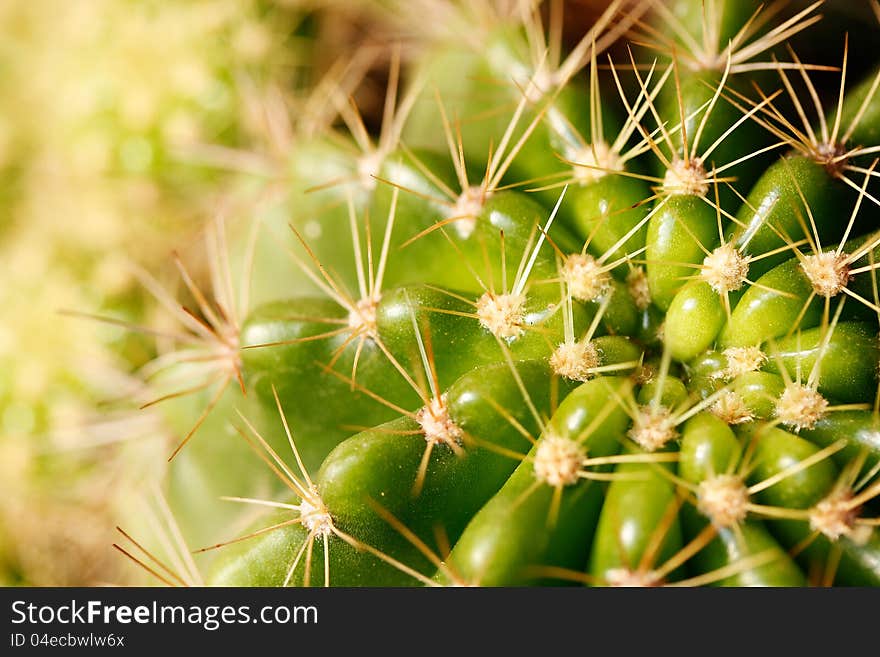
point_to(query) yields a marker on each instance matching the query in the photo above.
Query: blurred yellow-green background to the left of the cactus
(124, 126)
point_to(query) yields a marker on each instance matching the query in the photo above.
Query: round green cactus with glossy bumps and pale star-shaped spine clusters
(597, 310)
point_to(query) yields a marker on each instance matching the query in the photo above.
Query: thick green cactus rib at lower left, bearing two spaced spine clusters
(431, 468)
